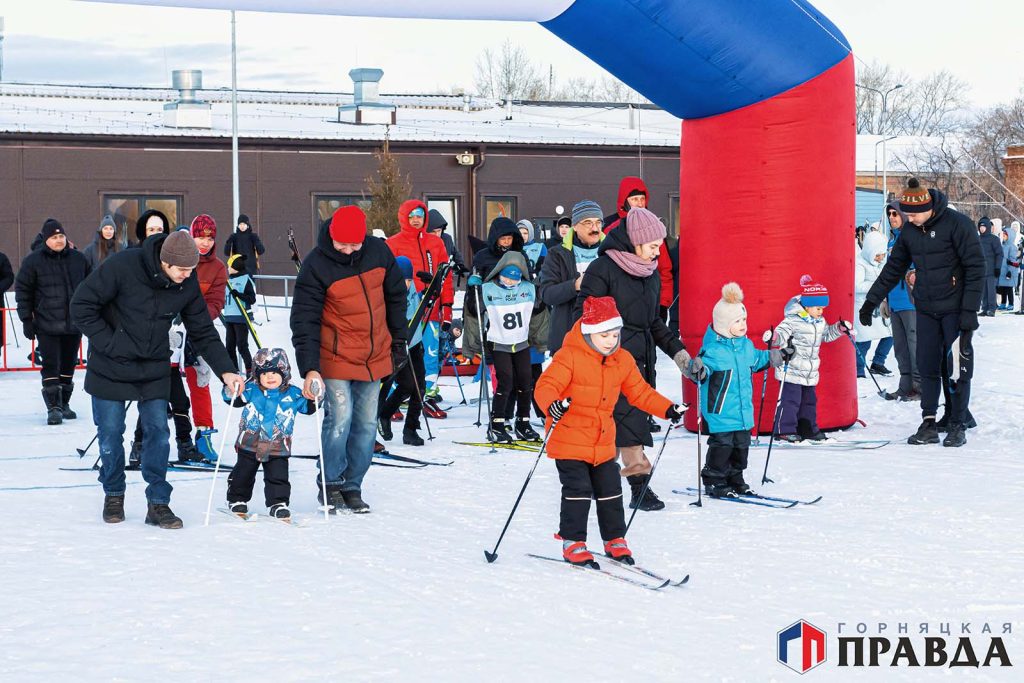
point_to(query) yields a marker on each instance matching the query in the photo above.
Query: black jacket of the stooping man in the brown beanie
(126, 308)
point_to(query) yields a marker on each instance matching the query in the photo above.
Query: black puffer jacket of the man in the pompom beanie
(947, 253)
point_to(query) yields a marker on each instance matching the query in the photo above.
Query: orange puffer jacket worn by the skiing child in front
(587, 432)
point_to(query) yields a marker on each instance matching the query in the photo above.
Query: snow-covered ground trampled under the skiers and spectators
(904, 535)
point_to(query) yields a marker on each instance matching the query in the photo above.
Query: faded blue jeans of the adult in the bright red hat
(349, 433)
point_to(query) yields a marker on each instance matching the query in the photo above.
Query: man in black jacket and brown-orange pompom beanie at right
(951, 274)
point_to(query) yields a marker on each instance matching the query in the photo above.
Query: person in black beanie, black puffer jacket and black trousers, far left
(46, 284)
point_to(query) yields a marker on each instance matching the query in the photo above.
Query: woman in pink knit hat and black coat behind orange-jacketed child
(627, 271)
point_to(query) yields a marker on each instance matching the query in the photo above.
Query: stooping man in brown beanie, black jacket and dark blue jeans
(126, 309)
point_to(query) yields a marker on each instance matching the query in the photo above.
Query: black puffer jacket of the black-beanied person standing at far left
(45, 287)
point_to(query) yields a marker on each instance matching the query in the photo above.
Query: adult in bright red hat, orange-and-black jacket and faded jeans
(349, 331)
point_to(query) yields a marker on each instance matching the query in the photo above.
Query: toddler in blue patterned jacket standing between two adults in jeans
(270, 408)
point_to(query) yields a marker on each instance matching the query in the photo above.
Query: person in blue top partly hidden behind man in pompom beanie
(904, 319)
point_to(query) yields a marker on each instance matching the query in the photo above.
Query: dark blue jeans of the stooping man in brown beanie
(110, 419)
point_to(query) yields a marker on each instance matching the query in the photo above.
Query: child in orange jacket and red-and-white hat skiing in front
(591, 371)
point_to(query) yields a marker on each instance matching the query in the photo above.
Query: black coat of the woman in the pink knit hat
(644, 330)
